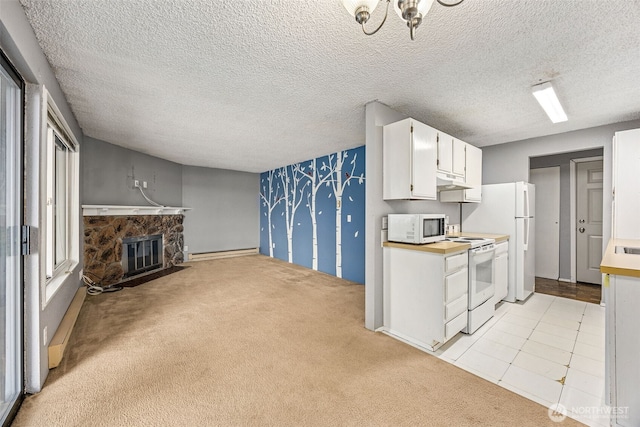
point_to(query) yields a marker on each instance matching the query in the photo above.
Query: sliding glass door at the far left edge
(11, 361)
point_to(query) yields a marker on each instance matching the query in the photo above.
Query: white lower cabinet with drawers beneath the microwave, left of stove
(425, 295)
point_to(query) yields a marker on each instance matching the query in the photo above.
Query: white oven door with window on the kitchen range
(481, 276)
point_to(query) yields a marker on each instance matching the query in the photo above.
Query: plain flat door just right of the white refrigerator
(547, 231)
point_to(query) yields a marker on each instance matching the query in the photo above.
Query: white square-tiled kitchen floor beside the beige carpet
(547, 349)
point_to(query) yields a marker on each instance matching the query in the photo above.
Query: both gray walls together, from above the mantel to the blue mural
(225, 211)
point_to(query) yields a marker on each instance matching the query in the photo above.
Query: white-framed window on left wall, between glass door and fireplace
(61, 204)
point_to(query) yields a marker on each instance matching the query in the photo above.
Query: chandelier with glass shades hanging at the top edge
(410, 11)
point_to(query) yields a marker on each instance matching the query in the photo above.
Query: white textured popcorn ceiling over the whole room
(253, 85)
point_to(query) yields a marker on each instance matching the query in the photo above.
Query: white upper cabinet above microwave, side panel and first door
(409, 159)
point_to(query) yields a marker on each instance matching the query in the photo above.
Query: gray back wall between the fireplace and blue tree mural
(226, 210)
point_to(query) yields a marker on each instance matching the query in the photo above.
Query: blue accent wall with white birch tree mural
(312, 213)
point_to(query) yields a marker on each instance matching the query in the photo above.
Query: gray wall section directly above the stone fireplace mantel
(108, 172)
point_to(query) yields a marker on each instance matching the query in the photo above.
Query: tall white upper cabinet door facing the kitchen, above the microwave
(424, 158)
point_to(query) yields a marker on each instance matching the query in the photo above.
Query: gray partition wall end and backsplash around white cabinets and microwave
(376, 116)
